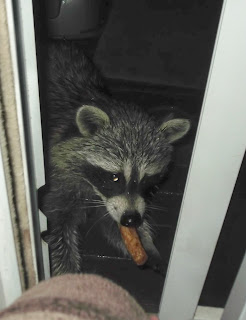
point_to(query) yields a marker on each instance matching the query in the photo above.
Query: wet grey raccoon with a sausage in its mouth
(103, 155)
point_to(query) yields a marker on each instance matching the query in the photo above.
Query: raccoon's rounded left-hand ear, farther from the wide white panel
(90, 119)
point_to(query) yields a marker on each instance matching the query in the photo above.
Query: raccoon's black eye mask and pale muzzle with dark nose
(124, 192)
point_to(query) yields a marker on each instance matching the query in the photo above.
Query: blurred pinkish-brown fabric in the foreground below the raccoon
(75, 297)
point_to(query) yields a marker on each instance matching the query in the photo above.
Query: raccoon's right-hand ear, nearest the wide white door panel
(175, 129)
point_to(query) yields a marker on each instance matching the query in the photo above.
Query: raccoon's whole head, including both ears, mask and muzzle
(125, 154)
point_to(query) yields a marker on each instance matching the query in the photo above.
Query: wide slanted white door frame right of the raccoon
(218, 152)
